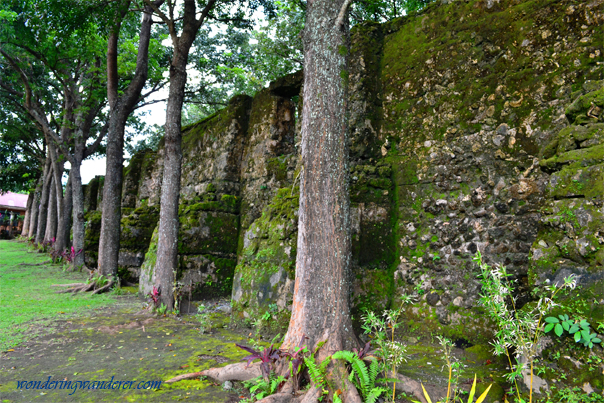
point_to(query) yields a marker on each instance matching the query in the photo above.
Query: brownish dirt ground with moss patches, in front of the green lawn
(123, 343)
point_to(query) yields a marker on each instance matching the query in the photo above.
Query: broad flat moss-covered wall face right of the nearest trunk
(472, 94)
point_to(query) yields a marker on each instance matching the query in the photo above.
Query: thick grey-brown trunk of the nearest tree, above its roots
(322, 286)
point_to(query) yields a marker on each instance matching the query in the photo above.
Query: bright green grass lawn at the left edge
(28, 303)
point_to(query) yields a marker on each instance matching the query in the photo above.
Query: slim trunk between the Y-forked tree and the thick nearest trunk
(167, 242)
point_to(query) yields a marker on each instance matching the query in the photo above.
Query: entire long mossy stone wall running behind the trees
(475, 125)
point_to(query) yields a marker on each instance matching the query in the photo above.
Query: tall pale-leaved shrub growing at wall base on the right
(518, 329)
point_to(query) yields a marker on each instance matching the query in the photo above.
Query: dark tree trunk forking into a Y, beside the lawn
(121, 108)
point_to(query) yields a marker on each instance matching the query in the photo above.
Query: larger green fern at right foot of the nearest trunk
(363, 377)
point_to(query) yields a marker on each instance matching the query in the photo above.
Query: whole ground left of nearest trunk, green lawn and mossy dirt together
(87, 338)
